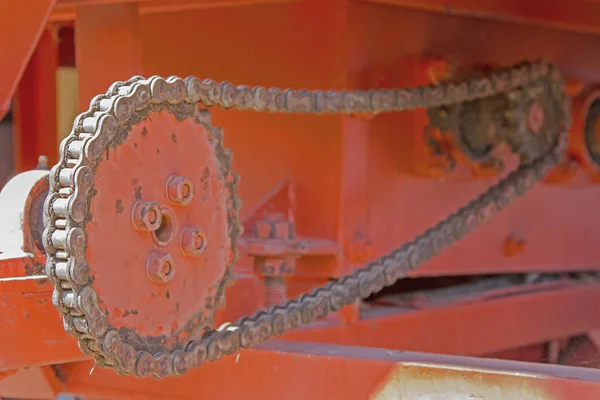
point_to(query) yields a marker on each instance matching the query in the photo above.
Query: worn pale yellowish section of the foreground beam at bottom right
(419, 376)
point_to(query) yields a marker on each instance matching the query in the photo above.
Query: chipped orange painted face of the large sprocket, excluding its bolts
(167, 148)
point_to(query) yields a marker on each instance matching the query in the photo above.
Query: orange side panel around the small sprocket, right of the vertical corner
(554, 221)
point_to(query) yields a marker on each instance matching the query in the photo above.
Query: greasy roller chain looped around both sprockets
(67, 206)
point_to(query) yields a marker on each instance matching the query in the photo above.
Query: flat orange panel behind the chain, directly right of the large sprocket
(267, 148)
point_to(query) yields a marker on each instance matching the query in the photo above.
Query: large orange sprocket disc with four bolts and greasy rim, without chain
(171, 248)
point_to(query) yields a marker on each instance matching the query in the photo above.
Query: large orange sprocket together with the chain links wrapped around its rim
(141, 226)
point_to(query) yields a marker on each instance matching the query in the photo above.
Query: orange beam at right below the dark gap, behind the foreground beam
(502, 323)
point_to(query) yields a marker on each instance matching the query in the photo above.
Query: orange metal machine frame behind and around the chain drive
(355, 186)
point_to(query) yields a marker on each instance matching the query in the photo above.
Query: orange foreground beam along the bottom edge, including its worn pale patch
(294, 370)
